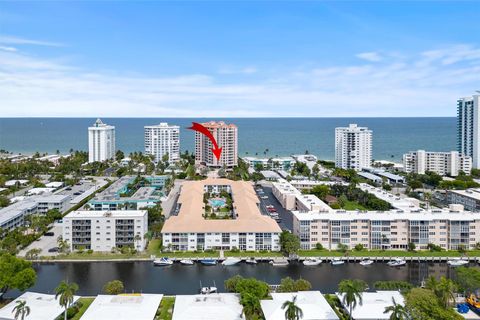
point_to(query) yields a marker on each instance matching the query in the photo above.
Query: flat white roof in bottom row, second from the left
(123, 307)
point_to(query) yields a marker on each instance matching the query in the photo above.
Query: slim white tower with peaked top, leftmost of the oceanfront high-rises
(101, 142)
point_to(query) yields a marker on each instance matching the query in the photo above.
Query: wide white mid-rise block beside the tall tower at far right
(443, 163)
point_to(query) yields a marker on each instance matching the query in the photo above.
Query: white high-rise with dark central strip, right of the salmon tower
(353, 147)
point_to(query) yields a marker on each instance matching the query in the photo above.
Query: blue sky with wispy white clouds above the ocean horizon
(237, 59)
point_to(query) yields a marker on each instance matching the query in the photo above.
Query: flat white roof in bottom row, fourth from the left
(313, 305)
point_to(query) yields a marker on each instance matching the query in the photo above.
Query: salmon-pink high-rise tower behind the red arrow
(226, 136)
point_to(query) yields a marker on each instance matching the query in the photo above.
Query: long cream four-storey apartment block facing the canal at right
(395, 229)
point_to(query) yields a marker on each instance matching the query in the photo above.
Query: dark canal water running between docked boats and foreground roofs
(180, 279)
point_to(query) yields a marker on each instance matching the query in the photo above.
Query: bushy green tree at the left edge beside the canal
(15, 273)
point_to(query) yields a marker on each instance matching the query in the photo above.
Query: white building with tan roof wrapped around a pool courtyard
(243, 227)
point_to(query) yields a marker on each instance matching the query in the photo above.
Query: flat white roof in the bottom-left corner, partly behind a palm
(42, 307)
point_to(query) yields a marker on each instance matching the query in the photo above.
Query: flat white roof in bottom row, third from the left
(218, 306)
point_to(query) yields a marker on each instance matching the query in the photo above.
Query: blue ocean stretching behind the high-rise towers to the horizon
(281, 136)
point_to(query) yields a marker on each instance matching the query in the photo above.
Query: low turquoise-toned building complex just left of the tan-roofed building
(130, 192)
